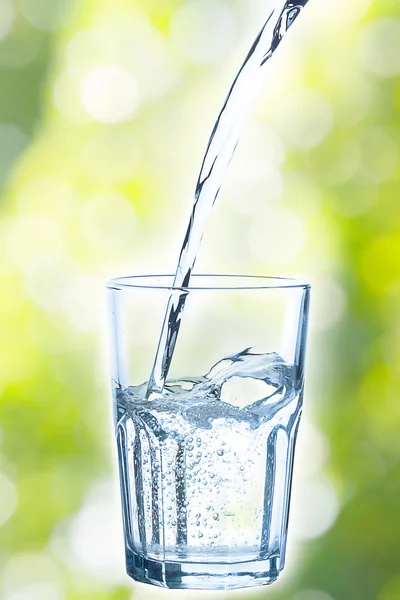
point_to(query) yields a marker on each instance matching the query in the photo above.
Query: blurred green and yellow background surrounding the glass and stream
(105, 109)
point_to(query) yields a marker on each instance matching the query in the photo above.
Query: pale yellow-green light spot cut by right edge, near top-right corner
(380, 47)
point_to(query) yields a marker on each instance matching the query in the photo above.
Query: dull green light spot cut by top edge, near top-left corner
(45, 15)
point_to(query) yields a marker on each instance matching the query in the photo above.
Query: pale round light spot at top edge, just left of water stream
(203, 36)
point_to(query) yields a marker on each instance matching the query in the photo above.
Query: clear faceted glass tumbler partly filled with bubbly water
(206, 465)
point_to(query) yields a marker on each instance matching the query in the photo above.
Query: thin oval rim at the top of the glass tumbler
(263, 282)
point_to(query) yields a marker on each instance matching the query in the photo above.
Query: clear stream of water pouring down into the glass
(221, 147)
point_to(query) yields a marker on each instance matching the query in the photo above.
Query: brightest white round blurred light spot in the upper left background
(109, 94)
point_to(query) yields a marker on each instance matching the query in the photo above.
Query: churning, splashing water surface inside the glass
(246, 387)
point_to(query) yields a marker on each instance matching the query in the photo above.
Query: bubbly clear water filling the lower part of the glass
(209, 477)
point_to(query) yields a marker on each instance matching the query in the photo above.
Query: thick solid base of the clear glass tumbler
(202, 576)
